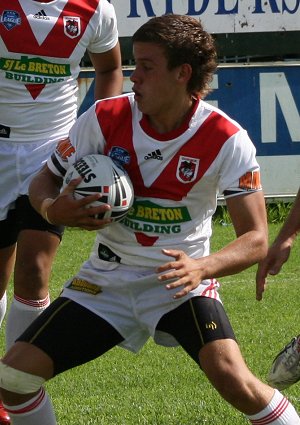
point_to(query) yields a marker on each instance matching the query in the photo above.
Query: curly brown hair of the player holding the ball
(184, 41)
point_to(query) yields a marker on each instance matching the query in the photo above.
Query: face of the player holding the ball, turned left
(155, 86)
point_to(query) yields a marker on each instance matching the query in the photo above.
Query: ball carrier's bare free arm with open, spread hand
(248, 216)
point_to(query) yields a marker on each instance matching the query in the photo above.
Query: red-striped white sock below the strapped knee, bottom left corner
(37, 411)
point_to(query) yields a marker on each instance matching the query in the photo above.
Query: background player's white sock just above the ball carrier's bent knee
(21, 314)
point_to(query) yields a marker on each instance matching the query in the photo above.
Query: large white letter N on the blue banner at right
(274, 87)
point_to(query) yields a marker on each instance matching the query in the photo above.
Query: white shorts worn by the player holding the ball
(131, 299)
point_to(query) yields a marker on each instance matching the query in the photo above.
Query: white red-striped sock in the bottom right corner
(278, 412)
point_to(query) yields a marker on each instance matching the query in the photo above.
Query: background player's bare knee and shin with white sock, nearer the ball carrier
(35, 255)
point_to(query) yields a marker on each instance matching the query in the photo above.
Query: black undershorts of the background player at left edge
(22, 217)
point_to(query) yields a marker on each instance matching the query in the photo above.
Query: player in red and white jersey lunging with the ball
(152, 274)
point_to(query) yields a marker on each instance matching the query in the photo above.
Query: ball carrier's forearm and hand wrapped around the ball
(61, 207)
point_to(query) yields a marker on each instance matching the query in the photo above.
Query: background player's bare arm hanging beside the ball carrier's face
(108, 73)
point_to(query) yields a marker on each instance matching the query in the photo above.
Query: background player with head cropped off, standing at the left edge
(41, 46)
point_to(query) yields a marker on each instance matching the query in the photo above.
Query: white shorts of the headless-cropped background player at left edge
(18, 163)
